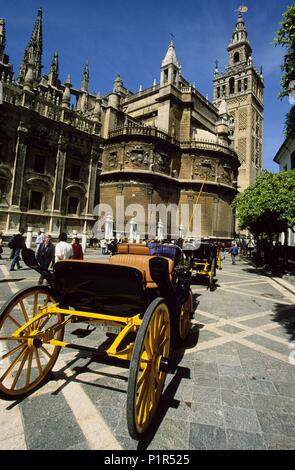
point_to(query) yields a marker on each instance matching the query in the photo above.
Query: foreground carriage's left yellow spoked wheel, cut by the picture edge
(26, 361)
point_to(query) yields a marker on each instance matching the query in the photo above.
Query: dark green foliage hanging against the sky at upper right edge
(285, 37)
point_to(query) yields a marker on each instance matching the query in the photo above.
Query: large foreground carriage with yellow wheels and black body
(144, 300)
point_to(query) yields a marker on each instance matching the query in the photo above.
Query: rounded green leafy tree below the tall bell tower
(268, 206)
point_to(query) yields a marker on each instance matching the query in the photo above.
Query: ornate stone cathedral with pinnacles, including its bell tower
(63, 151)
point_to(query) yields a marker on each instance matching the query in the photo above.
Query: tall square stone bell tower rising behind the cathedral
(241, 86)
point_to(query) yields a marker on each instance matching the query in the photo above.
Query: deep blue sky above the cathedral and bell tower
(131, 38)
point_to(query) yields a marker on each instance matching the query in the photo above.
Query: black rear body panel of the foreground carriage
(100, 287)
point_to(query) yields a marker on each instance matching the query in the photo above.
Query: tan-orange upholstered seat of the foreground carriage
(140, 262)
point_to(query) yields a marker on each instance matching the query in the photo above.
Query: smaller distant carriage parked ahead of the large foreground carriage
(203, 259)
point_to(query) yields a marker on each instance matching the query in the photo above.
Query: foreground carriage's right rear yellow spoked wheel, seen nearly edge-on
(146, 376)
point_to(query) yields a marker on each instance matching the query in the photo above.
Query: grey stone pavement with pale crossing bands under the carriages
(234, 387)
